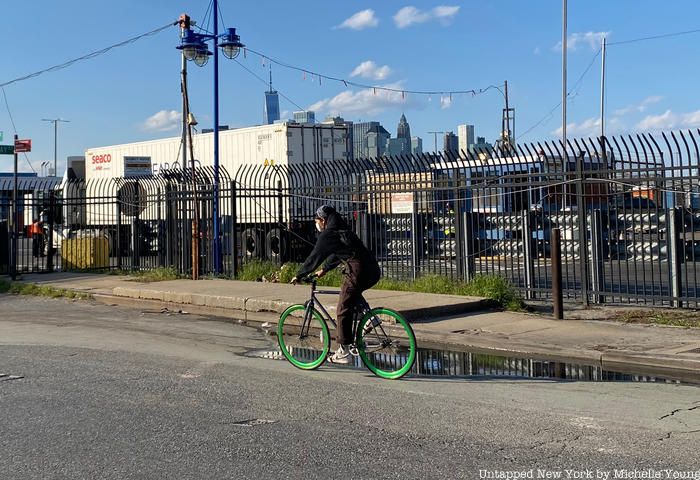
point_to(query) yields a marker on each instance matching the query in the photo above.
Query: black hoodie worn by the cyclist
(336, 244)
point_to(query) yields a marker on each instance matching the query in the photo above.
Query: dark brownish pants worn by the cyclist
(359, 276)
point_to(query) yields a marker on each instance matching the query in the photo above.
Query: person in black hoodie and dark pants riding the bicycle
(338, 244)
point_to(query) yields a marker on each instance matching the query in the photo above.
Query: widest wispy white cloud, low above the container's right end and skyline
(363, 103)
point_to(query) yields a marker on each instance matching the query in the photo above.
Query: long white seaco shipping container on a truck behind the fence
(277, 144)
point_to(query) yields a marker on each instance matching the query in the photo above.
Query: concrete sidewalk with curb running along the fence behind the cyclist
(440, 321)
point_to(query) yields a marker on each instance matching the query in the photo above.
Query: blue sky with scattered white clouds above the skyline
(132, 93)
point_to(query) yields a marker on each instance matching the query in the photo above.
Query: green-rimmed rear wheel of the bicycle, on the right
(386, 343)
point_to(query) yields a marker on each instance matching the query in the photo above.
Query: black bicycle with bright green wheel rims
(384, 340)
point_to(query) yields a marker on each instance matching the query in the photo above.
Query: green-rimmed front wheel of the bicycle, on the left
(304, 343)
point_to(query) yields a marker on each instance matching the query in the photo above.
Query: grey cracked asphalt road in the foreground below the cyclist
(109, 392)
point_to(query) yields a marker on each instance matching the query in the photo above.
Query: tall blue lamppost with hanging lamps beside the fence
(194, 48)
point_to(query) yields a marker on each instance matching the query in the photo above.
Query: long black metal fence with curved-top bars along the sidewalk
(628, 209)
